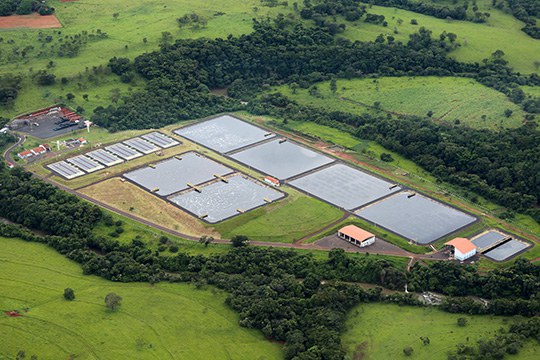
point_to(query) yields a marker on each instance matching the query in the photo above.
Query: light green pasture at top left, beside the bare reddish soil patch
(137, 19)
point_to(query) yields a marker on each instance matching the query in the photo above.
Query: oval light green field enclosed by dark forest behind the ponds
(449, 98)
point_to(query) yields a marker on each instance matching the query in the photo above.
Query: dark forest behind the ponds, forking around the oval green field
(502, 166)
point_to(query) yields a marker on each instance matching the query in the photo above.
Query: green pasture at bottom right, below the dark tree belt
(381, 331)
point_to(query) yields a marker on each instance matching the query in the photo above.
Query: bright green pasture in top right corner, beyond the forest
(478, 41)
